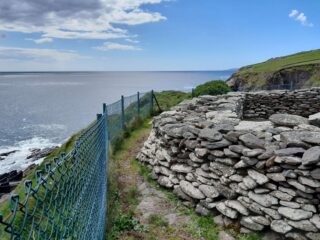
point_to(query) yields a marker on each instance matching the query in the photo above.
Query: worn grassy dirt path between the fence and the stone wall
(138, 208)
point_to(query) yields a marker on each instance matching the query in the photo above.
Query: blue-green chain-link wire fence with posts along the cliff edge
(67, 200)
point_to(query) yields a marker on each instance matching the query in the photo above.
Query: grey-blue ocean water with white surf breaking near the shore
(39, 110)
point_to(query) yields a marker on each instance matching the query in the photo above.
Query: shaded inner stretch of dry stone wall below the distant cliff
(300, 102)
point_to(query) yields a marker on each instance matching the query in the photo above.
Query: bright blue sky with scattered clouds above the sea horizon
(152, 35)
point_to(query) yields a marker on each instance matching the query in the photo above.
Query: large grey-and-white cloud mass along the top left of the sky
(75, 19)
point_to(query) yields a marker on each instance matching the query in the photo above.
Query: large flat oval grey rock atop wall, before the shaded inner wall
(287, 120)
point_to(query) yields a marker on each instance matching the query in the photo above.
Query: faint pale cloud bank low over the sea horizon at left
(37, 54)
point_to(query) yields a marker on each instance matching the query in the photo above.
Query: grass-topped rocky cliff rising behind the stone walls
(293, 71)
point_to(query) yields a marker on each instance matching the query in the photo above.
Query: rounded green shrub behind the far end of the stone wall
(216, 87)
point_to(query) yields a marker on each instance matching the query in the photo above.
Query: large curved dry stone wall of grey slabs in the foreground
(261, 174)
